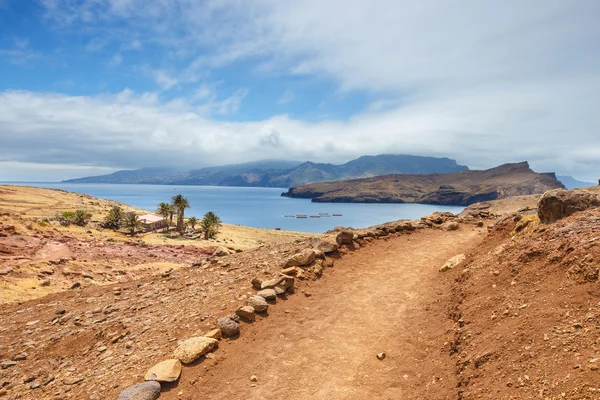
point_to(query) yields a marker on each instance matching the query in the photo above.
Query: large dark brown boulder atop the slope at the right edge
(560, 203)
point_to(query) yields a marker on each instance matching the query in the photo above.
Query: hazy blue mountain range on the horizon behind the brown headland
(282, 173)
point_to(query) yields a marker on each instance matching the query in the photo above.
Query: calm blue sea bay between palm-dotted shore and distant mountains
(256, 207)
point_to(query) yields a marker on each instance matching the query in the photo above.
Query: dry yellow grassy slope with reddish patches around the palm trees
(44, 257)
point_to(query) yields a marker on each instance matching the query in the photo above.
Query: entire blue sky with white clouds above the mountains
(92, 86)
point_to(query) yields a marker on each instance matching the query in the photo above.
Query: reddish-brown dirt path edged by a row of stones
(322, 344)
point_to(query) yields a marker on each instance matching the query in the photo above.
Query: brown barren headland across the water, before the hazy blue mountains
(461, 188)
